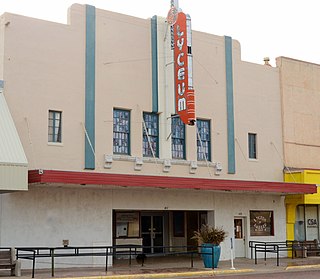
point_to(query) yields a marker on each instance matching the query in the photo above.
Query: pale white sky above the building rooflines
(264, 28)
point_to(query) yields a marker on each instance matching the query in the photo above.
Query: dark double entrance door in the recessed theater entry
(152, 233)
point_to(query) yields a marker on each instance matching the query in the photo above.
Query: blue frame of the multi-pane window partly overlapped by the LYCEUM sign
(175, 137)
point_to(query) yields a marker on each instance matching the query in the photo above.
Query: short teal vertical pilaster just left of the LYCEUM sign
(154, 54)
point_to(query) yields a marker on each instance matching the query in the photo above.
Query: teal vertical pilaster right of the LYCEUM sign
(230, 106)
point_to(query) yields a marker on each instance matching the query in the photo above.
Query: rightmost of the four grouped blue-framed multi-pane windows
(203, 140)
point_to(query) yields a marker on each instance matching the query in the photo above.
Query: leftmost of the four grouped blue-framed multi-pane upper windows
(121, 131)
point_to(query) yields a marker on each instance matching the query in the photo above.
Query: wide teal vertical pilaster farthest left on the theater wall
(90, 87)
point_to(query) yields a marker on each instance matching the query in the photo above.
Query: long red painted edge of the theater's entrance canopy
(128, 180)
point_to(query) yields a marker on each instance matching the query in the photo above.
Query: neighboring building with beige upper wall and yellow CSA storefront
(300, 97)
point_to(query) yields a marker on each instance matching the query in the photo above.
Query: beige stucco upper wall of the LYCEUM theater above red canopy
(123, 76)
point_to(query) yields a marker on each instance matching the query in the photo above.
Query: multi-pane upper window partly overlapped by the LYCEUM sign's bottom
(178, 138)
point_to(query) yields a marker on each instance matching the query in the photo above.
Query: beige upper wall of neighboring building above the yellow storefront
(300, 87)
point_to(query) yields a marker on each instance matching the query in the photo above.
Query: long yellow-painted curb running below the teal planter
(166, 275)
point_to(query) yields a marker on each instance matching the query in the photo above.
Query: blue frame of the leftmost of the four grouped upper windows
(128, 133)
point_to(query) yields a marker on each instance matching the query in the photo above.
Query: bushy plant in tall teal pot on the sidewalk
(209, 238)
